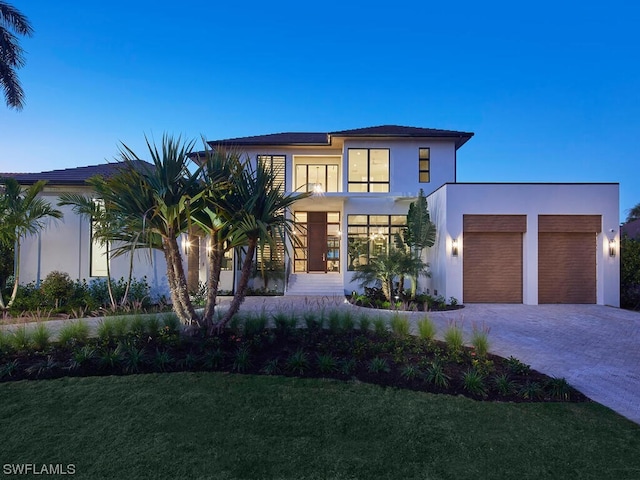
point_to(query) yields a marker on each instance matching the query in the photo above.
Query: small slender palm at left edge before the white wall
(22, 213)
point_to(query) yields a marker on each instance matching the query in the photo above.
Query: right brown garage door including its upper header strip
(567, 246)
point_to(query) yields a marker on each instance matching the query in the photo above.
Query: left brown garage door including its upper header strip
(492, 258)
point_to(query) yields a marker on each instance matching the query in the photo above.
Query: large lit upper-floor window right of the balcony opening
(368, 169)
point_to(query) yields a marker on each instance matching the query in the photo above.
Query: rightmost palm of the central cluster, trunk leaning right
(260, 215)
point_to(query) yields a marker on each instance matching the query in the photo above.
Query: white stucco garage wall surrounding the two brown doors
(530, 200)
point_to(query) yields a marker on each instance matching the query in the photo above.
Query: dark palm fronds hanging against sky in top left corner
(12, 23)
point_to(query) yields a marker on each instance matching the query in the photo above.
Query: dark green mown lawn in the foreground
(209, 425)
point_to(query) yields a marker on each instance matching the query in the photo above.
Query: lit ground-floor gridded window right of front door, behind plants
(370, 235)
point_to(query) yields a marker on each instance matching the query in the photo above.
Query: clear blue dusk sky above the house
(551, 89)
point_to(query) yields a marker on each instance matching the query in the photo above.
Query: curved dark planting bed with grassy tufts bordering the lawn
(337, 345)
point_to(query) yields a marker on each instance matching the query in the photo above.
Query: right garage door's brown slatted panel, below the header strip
(566, 267)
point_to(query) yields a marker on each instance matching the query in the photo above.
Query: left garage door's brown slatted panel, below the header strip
(492, 267)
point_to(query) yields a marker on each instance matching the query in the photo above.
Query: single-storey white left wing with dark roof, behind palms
(67, 245)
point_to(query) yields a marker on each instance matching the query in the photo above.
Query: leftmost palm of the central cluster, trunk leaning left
(159, 197)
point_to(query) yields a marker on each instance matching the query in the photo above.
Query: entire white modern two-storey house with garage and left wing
(525, 243)
